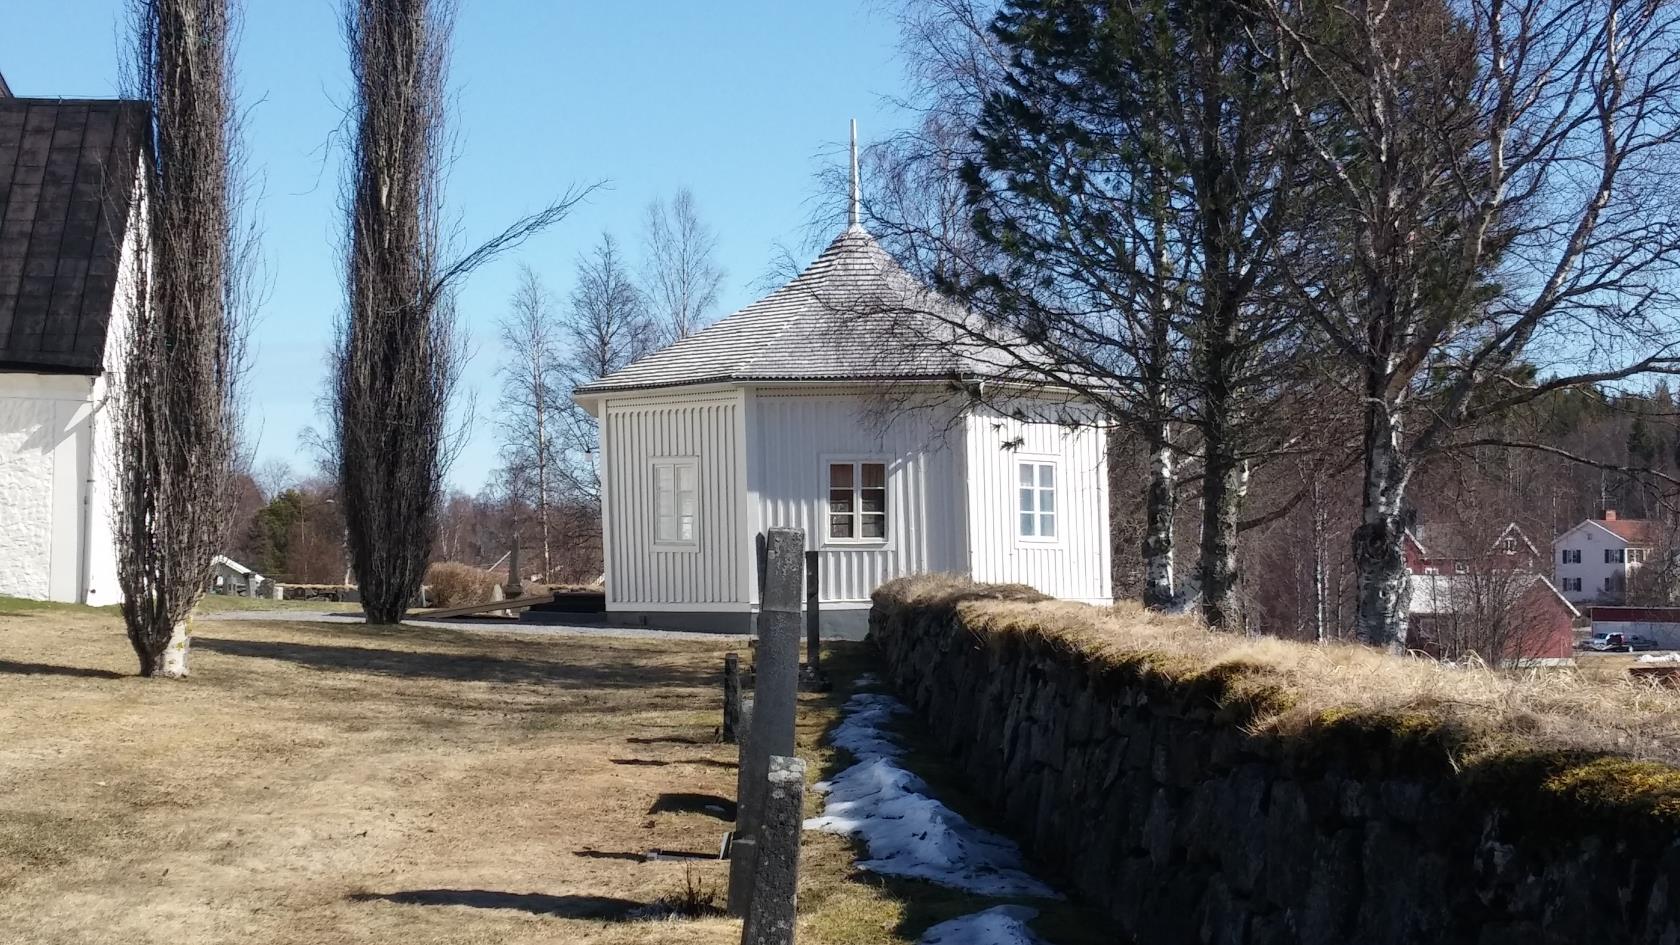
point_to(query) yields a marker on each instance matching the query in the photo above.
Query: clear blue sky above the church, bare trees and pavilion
(740, 102)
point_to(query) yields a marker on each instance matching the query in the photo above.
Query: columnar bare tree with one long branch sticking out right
(399, 351)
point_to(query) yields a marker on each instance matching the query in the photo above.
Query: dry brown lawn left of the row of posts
(339, 784)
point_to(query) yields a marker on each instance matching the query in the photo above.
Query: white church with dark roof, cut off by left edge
(68, 209)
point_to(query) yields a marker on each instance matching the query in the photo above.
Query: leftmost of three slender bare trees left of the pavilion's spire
(530, 404)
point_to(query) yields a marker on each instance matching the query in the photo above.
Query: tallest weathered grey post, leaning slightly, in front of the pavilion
(775, 699)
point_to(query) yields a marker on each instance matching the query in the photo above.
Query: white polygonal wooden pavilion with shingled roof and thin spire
(843, 404)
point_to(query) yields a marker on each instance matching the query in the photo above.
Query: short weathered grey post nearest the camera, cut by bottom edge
(775, 892)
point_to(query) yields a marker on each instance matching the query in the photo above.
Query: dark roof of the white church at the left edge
(66, 186)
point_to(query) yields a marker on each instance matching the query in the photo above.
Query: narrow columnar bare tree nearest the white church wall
(177, 394)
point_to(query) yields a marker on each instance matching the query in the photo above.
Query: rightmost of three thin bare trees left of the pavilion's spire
(681, 270)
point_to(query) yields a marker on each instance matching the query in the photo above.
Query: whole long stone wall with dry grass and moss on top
(1209, 788)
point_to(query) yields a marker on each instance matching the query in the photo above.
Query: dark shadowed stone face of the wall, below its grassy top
(1147, 793)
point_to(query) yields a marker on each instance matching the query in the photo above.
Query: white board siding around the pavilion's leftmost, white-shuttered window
(641, 431)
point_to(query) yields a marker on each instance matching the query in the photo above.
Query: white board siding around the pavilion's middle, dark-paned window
(792, 438)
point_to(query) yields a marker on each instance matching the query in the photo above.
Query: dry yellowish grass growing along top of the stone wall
(1305, 690)
